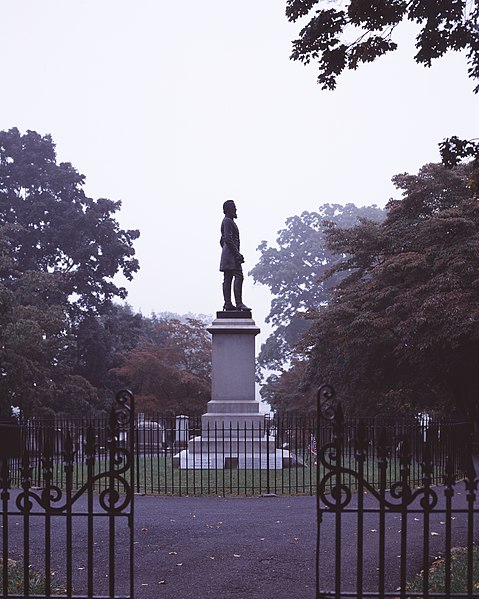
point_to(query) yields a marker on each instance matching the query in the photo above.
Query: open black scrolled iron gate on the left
(67, 541)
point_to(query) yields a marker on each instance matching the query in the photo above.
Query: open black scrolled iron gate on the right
(379, 534)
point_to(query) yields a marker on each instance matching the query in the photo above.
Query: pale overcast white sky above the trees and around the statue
(174, 107)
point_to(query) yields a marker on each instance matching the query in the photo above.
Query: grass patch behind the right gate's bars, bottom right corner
(459, 561)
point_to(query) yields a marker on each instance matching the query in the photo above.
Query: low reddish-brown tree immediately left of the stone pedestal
(170, 373)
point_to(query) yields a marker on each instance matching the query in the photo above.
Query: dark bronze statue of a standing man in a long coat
(231, 259)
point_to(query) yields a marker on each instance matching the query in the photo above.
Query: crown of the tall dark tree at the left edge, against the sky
(55, 228)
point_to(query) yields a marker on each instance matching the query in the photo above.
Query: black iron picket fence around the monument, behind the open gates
(175, 455)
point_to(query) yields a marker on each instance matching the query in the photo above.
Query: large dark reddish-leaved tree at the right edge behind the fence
(401, 331)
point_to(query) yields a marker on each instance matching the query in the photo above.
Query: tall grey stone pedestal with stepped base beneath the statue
(233, 432)
